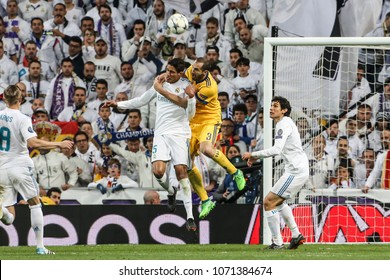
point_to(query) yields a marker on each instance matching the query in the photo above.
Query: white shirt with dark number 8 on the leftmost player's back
(15, 129)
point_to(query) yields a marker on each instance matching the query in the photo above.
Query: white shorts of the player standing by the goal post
(288, 185)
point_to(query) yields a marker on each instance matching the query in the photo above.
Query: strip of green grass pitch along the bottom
(202, 252)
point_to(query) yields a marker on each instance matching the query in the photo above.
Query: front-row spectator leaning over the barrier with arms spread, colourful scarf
(114, 182)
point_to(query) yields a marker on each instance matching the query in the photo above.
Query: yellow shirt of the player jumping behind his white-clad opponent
(208, 109)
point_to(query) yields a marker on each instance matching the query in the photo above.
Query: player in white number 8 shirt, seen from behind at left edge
(16, 133)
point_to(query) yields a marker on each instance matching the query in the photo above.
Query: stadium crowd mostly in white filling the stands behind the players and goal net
(69, 57)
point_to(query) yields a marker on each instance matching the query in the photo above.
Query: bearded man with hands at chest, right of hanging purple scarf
(79, 111)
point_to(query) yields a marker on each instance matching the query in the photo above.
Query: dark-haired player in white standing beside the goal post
(288, 145)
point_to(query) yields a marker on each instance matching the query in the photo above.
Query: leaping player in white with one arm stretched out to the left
(172, 133)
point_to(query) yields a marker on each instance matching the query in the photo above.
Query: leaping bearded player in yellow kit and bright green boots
(204, 128)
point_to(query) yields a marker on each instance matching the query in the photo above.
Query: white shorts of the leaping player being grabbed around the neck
(171, 148)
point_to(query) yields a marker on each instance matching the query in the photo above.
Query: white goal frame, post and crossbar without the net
(268, 64)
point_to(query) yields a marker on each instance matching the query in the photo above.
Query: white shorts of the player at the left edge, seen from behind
(18, 180)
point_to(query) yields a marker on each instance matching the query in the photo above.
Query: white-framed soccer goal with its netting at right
(317, 76)
